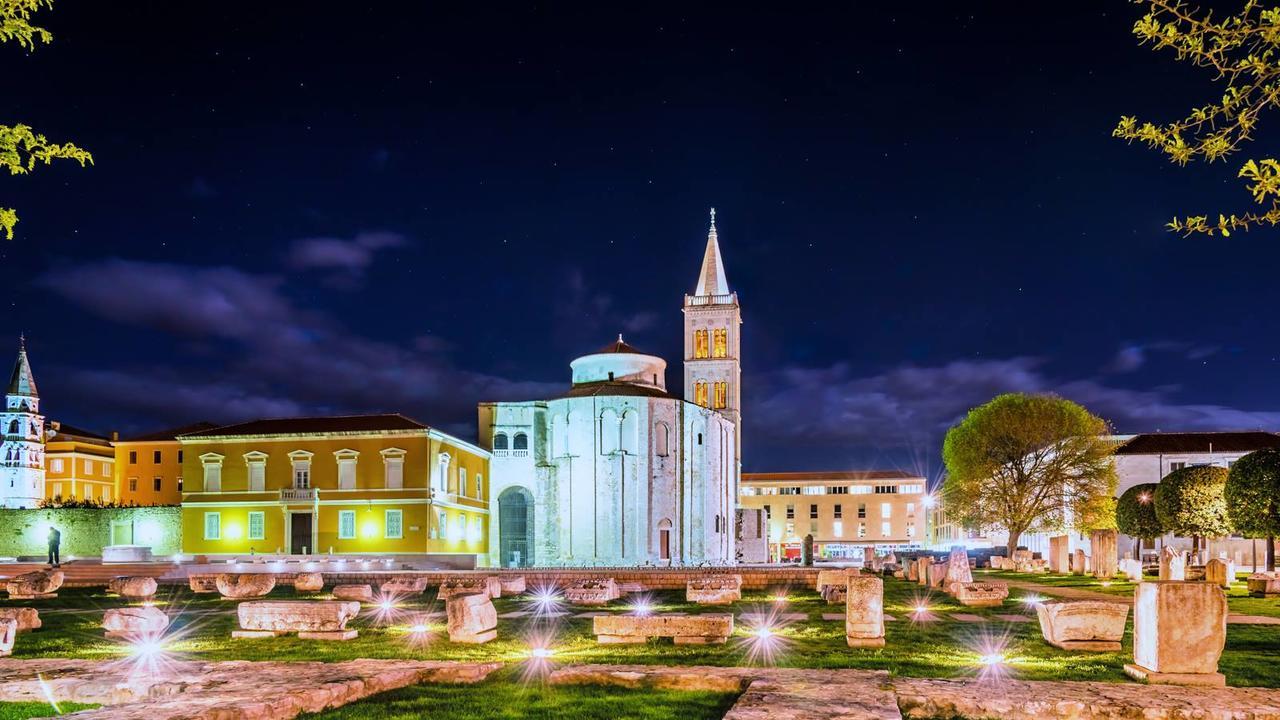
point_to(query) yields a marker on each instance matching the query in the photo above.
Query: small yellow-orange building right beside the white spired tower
(79, 464)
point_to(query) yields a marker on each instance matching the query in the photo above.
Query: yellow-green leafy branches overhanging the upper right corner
(1244, 48)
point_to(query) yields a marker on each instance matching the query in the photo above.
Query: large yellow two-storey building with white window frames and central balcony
(349, 485)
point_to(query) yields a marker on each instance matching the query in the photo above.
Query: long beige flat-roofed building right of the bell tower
(845, 512)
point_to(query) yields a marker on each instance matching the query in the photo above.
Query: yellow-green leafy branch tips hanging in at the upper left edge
(21, 148)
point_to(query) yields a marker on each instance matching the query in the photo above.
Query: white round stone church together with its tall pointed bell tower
(618, 470)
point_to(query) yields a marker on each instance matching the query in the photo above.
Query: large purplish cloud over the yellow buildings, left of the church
(273, 357)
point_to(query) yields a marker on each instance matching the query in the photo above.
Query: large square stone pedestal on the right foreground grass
(1180, 631)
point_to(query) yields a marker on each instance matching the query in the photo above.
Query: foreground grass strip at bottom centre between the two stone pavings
(505, 699)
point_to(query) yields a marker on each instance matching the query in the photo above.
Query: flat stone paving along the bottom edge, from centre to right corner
(781, 694)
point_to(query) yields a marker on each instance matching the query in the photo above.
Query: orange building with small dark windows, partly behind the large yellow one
(149, 467)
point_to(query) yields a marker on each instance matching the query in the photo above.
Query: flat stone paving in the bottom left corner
(220, 691)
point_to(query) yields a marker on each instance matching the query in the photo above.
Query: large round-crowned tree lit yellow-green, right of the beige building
(1027, 463)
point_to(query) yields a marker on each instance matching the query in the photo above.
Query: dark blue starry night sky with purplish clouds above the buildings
(397, 208)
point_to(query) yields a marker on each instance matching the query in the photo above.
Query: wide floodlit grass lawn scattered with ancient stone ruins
(947, 649)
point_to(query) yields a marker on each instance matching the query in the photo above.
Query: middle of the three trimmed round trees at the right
(1190, 503)
